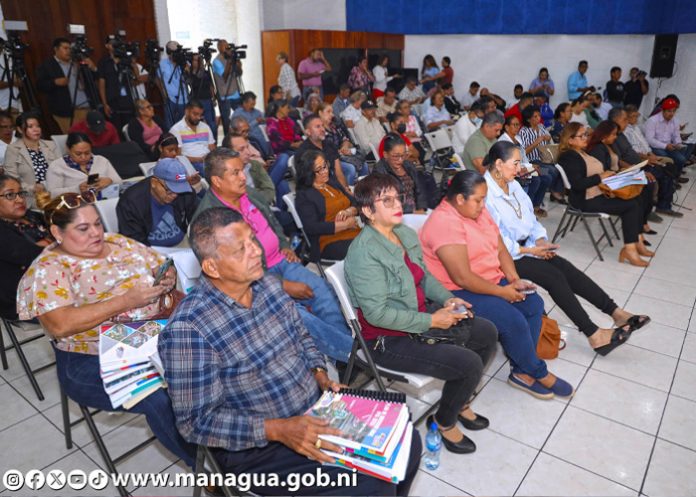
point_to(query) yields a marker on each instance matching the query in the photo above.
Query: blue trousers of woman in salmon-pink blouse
(518, 324)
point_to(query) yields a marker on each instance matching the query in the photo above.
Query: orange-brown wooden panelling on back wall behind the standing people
(297, 43)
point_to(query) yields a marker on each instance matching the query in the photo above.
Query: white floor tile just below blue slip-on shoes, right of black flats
(517, 414)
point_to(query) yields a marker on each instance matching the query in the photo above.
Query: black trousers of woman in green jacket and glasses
(460, 366)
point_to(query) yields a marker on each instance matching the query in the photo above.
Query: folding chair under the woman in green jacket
(360, 354)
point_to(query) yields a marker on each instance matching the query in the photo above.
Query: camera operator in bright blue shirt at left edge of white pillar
(172, 70)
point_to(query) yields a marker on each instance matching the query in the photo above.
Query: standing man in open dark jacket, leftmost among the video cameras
(58, 77)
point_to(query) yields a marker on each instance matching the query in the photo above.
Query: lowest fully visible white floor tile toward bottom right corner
(601, 446)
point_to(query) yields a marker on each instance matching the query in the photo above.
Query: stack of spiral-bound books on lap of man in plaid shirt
(376, 431)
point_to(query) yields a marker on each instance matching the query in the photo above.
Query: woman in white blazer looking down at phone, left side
(71, 173)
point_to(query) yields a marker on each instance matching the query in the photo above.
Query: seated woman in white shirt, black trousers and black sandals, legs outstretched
(536, 260)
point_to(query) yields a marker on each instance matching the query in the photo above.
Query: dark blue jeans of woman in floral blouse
(78, 375)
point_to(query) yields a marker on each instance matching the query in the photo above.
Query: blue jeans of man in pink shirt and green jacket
(325, 322)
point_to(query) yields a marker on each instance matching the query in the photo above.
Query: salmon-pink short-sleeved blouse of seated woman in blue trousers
(445, 226)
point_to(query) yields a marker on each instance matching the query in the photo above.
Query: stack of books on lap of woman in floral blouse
(128, 361)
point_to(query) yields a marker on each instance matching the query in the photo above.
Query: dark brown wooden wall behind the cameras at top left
(48, 19)
